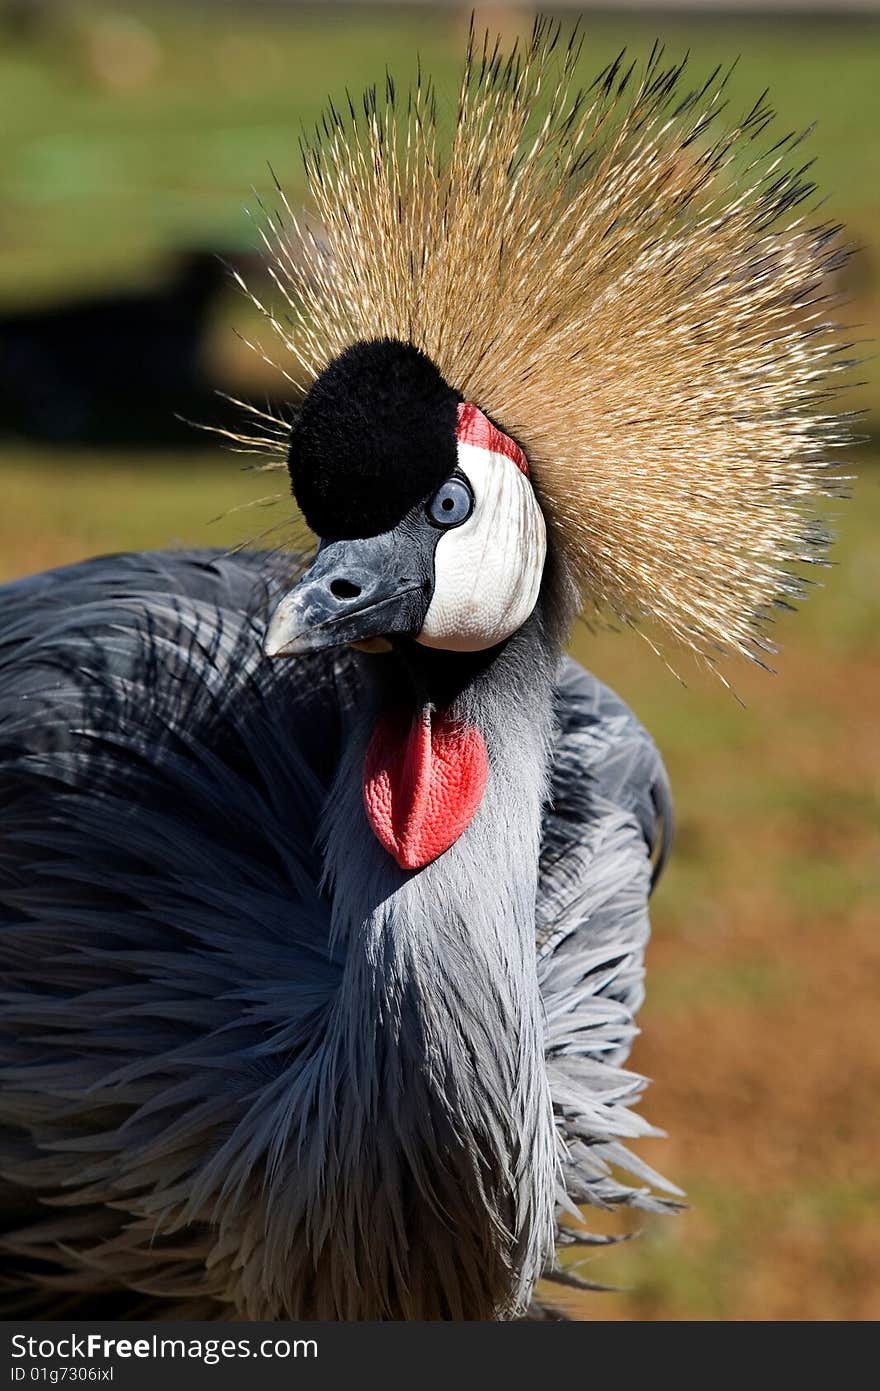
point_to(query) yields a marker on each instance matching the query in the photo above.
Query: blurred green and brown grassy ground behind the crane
(136, 133)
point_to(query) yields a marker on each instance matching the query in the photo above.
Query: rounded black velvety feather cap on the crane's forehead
(376, 435)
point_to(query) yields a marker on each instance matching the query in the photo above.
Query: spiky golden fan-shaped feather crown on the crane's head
(621, 278)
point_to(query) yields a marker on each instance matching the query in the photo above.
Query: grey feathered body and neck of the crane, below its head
(250, 1066)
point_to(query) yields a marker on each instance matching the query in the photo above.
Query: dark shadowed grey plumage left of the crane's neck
(163, 940)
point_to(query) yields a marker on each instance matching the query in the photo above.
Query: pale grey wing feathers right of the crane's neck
(608, 820)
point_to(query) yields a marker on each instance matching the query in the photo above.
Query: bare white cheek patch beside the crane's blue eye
(487, 572)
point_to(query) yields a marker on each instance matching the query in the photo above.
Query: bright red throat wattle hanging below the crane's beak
(423, 782)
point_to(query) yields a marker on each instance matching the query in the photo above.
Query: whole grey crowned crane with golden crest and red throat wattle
(323, 899)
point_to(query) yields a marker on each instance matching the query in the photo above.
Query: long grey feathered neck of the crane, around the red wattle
(433, 1104)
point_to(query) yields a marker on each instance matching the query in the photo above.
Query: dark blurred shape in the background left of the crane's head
(116, 369)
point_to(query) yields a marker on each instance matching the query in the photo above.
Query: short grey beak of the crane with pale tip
(354, 590)
